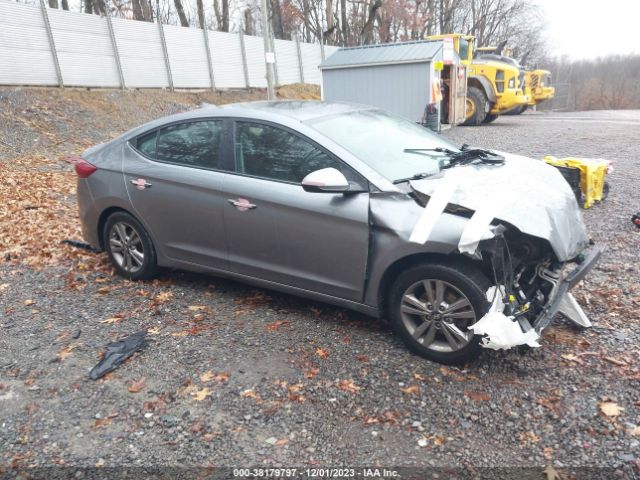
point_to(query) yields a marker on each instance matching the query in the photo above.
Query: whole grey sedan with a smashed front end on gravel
(349, 205)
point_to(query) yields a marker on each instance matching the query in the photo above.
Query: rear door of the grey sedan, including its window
(174, 178)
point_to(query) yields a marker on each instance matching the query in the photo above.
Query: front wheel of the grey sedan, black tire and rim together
(459, 280)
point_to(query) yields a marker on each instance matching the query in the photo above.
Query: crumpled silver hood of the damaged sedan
(527, 193)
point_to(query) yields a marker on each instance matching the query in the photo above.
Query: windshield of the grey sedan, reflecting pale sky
(394, 147)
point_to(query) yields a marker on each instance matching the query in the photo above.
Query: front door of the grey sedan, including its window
(277, 231)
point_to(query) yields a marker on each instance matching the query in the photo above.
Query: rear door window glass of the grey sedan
(193, 144)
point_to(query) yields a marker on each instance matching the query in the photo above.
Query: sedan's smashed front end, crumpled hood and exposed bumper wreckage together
(525, 229)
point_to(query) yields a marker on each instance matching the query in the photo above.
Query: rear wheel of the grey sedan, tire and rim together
(142, 264)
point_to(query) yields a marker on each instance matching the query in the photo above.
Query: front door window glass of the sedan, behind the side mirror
(276, 154)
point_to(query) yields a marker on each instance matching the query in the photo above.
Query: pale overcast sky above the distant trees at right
(592, 28)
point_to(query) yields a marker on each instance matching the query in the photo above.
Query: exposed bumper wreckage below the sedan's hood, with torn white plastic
(530, 286)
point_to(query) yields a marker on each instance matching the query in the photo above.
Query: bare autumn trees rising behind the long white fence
(519, 23)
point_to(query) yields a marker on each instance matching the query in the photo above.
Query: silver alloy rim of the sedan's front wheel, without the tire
(436, 314)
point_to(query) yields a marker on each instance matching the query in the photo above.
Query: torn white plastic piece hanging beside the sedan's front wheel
(501, 332)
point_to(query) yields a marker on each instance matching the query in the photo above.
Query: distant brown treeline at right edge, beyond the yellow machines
(608, 83)
